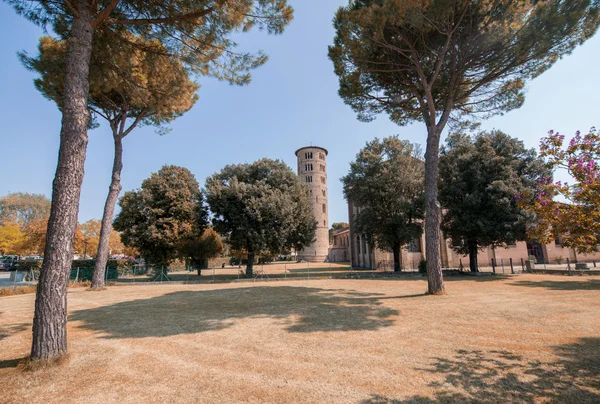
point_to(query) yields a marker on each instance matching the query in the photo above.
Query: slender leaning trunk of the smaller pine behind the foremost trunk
(107, 218)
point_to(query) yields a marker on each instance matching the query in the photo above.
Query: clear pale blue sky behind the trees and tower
(291, 102)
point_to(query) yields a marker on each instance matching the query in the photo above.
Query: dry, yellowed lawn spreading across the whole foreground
(527, 338)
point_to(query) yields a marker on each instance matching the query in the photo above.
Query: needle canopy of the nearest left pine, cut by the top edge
(198, 33)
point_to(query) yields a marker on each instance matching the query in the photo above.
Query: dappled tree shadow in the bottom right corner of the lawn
(502, 377)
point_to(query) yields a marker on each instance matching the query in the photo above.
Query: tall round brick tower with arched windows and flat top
(312, 169)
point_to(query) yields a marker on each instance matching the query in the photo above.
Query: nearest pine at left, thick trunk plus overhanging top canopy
(197, 33)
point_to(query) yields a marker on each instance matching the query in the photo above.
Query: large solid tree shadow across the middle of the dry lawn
(301, 309)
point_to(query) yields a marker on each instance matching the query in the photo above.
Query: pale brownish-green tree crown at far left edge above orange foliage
(23, 208)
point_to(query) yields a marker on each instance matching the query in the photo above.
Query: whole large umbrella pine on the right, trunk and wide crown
(447, 59)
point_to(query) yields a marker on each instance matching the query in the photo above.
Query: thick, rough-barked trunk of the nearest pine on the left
(50, 317)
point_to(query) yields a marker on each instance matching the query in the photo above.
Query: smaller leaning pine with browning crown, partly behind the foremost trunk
(129, 87)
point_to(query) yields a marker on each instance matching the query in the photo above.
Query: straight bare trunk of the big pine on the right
(435, 279)
